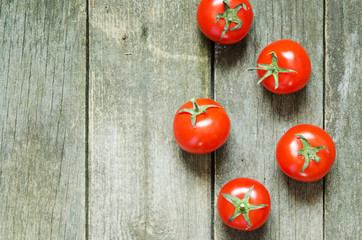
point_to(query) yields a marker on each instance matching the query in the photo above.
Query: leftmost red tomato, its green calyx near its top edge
(201, 126)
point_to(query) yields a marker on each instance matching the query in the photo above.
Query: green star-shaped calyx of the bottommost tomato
(242, 206)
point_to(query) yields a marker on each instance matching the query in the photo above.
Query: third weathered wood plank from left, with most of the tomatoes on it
(259, 118)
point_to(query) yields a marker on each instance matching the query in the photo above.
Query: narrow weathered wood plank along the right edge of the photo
(343, 194)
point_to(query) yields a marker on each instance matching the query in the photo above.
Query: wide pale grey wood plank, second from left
(147, 58)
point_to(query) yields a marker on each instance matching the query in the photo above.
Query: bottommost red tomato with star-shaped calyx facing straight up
(244, 204)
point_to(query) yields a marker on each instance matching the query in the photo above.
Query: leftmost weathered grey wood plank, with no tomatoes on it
(42, 119)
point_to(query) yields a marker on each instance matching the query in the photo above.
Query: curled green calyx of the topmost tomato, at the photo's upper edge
(230, 15)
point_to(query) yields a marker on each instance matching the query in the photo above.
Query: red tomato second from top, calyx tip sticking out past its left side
(283, 67)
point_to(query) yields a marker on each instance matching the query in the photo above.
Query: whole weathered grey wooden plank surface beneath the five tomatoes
(88, 91)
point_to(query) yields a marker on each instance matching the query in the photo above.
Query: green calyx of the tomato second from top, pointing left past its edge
(272, 69)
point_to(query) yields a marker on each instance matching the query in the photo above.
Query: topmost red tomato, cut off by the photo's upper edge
(224, 21)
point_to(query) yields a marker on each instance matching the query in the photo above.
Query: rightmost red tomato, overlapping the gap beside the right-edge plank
(305, 153)
